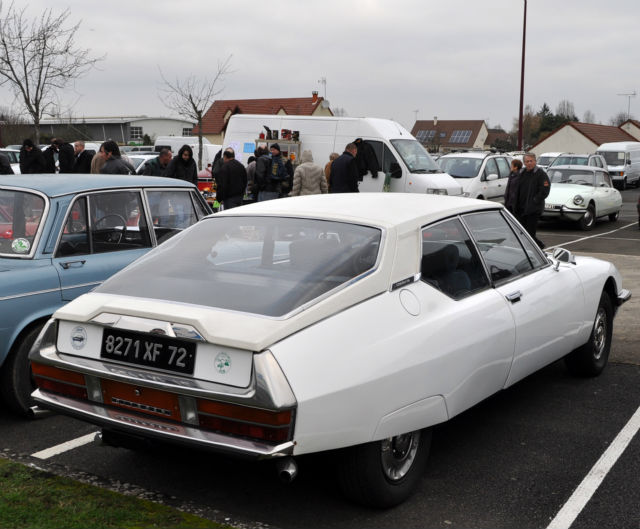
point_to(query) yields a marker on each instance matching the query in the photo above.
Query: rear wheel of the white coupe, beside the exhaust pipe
(384, 473)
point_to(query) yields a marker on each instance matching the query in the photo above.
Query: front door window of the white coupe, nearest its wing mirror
(505, 256)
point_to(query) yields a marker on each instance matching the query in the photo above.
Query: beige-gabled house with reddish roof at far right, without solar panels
(578, 137)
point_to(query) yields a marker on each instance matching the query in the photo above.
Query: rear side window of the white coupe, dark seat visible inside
(450, 261)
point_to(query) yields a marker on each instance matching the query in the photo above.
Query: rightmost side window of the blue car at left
(171, 212)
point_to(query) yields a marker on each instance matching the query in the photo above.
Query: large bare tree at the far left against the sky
(39, 57)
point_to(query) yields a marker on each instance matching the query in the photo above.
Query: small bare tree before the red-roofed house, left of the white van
(191, 97)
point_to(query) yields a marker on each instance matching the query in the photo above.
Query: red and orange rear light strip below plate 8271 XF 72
(233, 419)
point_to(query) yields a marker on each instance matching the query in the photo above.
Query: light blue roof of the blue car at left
(54, 185)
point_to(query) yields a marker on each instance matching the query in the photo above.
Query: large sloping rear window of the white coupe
(261, 265)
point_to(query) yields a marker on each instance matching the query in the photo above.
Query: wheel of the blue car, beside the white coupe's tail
(16, 377)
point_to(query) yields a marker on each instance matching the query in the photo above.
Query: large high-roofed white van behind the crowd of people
(405, 164)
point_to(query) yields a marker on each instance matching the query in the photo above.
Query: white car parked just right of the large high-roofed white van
(482, 175)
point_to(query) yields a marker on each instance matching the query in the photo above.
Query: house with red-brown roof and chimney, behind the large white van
(215, 120)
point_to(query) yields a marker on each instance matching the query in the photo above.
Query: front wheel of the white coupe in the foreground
(590, 359)
